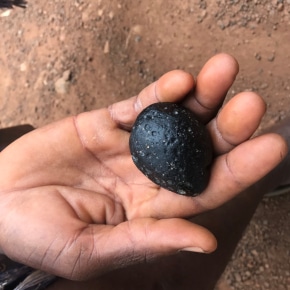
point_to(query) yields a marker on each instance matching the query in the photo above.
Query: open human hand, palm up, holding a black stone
(73, 203)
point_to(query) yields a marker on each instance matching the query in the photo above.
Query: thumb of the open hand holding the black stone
(142, 240)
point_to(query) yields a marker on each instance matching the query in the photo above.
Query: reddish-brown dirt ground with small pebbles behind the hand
(59, 58)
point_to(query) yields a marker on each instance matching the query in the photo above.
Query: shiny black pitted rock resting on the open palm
(172, 148)
